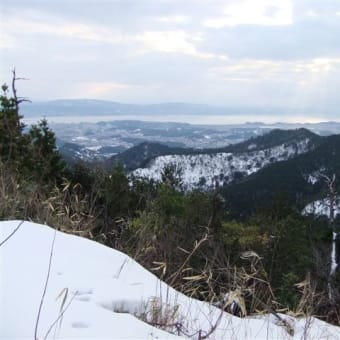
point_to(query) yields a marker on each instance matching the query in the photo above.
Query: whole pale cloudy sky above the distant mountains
(233, 53)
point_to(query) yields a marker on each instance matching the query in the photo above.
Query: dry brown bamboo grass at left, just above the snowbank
(65, 208)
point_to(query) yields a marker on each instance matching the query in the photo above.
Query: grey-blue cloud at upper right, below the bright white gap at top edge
(301, 40)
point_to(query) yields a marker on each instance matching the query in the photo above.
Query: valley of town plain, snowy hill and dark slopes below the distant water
(251, 164)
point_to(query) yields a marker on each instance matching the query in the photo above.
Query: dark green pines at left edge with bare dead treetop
(33, 155)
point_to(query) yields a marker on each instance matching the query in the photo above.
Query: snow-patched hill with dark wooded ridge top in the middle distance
(219, 167)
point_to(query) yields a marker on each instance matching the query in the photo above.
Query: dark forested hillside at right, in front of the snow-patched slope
(298, 179)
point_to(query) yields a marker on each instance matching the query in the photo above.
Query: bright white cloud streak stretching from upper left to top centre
(166, 41)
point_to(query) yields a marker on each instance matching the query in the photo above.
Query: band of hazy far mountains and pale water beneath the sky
(94, 110)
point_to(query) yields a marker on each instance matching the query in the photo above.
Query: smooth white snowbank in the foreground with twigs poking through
(106, 291)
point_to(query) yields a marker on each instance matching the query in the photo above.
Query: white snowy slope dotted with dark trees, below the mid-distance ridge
(210, 170)
